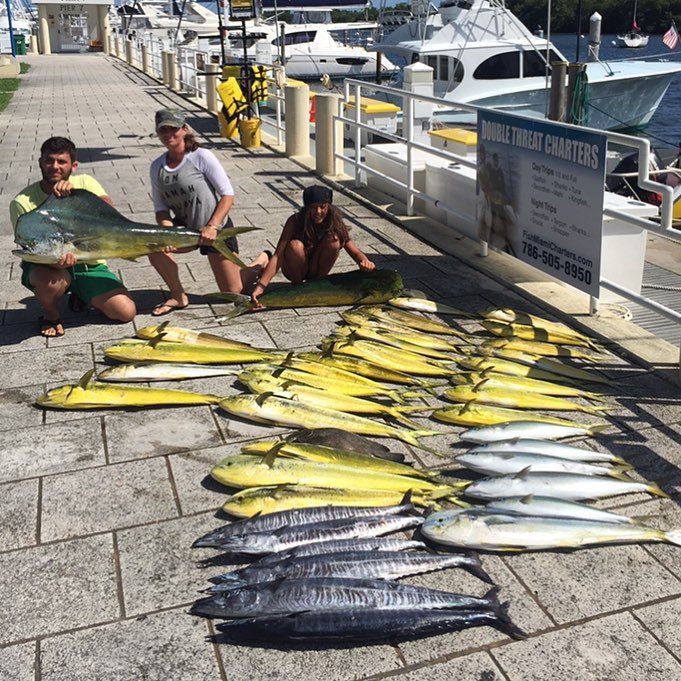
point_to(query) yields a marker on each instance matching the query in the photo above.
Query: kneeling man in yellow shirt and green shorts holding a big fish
(89, 283)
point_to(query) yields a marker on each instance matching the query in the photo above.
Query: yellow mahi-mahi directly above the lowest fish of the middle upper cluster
(259, 384)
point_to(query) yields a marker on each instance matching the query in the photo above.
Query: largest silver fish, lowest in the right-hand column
(490, 531)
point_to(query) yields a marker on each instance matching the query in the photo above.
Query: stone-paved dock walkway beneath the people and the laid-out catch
(98, 509)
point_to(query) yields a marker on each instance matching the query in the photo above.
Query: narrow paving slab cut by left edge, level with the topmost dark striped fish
(19, 513)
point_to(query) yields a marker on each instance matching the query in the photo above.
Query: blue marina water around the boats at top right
(663, 129)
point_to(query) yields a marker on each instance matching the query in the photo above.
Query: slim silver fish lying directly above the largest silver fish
(550, 507)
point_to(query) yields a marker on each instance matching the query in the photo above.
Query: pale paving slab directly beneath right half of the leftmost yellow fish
(156, 432)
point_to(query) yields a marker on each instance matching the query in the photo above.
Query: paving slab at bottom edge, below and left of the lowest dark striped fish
(158, 647)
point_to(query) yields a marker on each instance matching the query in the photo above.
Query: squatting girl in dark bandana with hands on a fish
(311, 242)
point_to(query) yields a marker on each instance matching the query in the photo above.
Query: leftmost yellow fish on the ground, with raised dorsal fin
(89, 394)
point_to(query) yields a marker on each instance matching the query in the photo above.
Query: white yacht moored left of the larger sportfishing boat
(309, 51)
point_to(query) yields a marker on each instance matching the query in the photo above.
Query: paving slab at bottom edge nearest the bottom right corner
(616, 648)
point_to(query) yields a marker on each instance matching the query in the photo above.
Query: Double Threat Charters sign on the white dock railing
(540, 195)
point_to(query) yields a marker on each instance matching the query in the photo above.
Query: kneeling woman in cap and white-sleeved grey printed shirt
(190, 188)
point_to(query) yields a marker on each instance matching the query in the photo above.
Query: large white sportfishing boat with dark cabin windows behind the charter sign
(482, 54)
